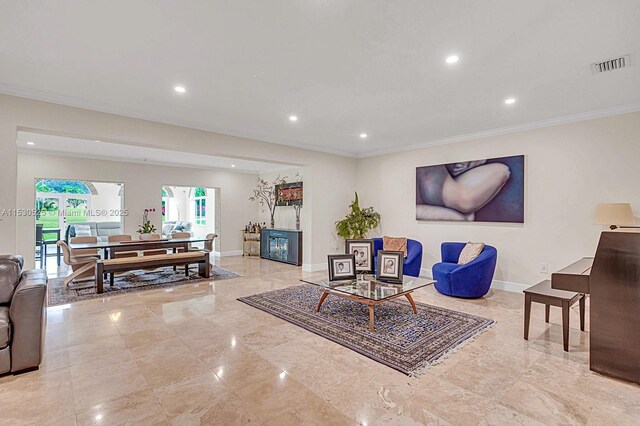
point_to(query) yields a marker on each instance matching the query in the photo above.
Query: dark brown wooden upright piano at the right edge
(612, 279)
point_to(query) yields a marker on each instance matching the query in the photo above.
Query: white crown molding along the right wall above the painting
(583, 116)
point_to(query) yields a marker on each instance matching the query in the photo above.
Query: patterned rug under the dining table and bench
(131, 281)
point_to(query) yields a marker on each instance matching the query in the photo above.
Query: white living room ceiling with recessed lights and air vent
(343, 66)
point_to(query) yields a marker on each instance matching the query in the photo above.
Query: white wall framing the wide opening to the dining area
(323, 172)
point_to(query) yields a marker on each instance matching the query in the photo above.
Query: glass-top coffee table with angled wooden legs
(369, 291)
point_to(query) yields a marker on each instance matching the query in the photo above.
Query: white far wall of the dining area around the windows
(142, 189)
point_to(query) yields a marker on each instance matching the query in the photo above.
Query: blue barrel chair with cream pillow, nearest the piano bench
(470, 281)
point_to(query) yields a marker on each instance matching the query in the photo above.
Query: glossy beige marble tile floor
(195, 355)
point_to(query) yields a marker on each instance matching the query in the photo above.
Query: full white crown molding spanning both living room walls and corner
(125, 112)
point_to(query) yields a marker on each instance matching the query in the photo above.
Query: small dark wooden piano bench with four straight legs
(543, 293)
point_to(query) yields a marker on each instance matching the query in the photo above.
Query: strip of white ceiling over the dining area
(43, 143)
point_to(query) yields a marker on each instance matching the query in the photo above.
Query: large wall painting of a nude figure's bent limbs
(490, 190)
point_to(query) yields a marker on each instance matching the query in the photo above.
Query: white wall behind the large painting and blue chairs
(568, 170)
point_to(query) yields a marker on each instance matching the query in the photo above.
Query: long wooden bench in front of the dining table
(111, 266)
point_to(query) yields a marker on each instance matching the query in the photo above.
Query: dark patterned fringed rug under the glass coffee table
(402, 340)
